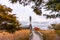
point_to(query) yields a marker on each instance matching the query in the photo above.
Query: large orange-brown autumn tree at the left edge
(8, 22)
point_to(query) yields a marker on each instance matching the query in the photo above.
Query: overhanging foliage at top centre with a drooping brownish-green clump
(36, 7)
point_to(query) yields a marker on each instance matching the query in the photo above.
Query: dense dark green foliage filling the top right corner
(53, 5)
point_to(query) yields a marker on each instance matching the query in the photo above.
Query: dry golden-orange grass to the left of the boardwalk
(18, 35)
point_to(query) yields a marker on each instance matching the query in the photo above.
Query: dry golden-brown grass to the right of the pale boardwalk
(49, 35)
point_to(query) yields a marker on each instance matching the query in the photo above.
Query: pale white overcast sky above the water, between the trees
(23, 13)
